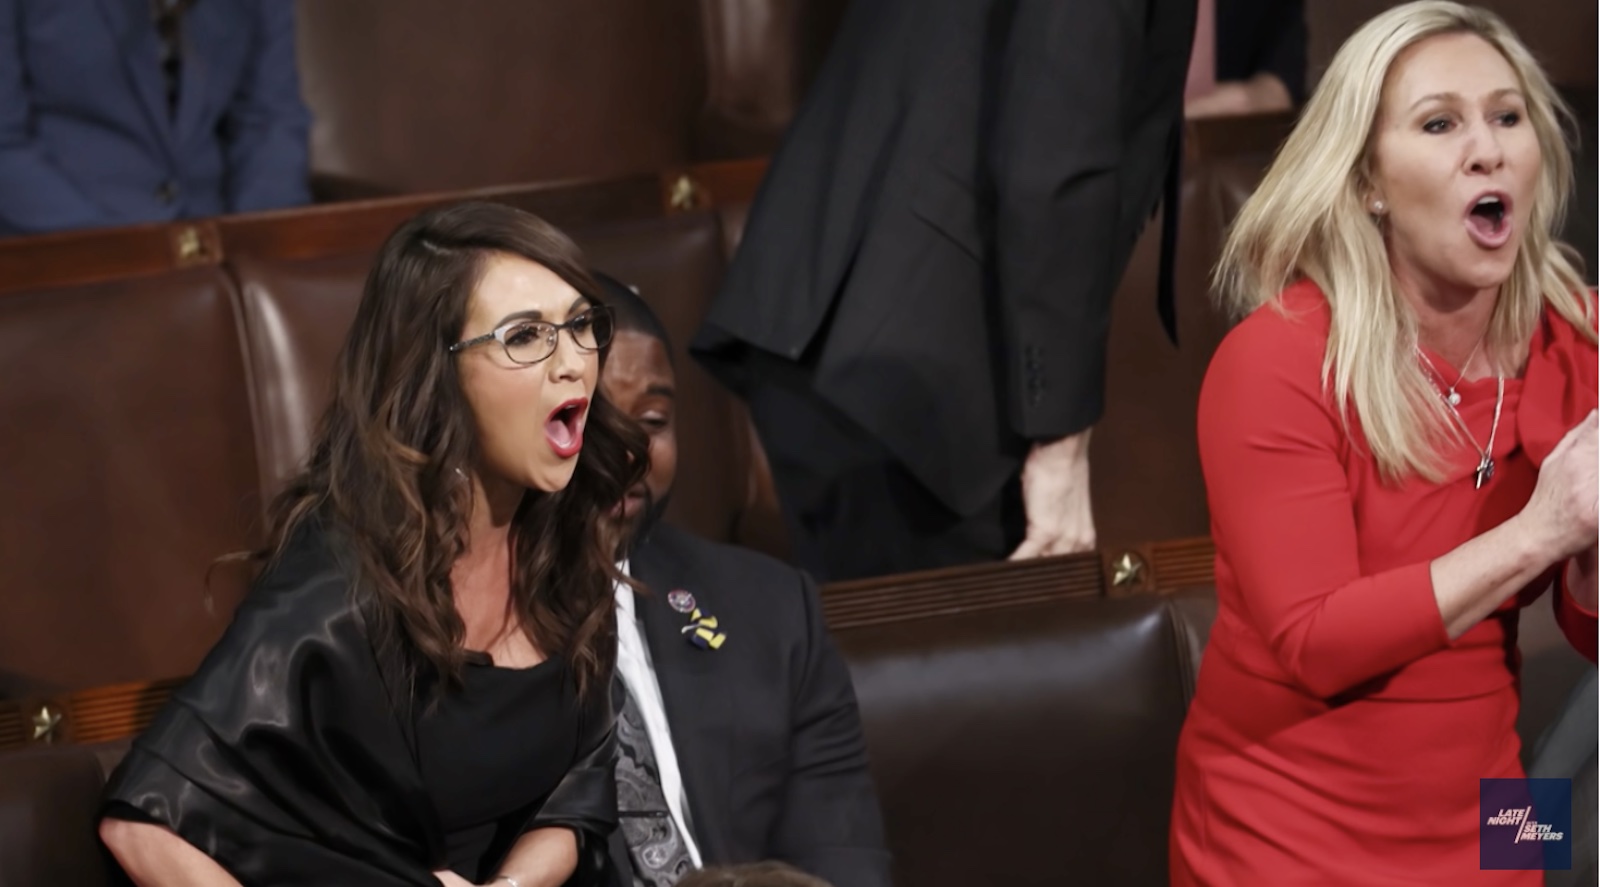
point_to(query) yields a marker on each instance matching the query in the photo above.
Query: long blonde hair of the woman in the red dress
(1310, 220)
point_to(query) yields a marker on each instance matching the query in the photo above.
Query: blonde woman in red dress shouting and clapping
(1399, 449)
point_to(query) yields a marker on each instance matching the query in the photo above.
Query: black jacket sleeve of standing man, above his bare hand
(1055, 155)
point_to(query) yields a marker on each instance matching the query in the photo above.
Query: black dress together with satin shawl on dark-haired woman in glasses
(297, 757)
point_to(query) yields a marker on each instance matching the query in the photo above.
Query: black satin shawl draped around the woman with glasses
(290, 757)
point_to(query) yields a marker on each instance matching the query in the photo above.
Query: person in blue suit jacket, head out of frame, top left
(134, 111)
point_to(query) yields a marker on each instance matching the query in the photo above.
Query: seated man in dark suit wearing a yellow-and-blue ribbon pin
(740, 739)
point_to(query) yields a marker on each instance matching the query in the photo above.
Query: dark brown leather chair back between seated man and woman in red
(1025, 745)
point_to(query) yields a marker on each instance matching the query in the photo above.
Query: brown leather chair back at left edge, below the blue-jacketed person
(129, 467)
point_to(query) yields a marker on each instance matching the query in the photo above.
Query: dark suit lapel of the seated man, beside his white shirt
(694, 691)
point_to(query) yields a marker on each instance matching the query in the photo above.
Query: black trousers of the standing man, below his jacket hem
(854, 512)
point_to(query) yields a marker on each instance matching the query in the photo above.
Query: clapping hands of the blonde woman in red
(1564, 507)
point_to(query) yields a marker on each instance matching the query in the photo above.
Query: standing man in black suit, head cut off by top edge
(919, 310)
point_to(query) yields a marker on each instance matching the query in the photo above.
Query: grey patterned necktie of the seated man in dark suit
(654, 841)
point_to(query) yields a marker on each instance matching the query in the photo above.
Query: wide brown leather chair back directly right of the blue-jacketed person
(422, 97)
